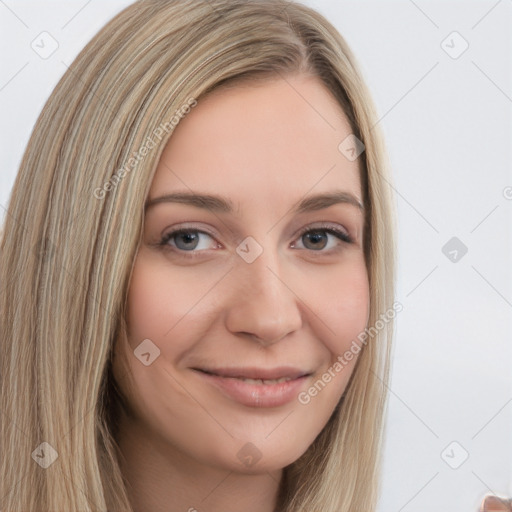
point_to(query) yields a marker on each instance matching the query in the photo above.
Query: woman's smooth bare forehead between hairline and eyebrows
(261, 143)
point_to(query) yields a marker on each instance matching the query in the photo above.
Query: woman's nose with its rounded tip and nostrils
(263, 304)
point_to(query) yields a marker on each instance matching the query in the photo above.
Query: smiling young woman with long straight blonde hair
(197, 270)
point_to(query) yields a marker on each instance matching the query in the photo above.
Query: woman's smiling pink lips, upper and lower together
(229, 382)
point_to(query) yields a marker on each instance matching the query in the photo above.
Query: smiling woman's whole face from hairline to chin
(255, 286)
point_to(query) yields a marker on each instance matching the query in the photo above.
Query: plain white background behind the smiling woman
(447, 123)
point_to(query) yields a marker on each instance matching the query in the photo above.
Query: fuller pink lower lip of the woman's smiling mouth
(257, 395)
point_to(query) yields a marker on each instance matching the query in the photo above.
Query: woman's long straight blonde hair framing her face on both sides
(73, 227)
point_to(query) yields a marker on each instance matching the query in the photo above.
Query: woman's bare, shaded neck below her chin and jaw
(161, 478)
